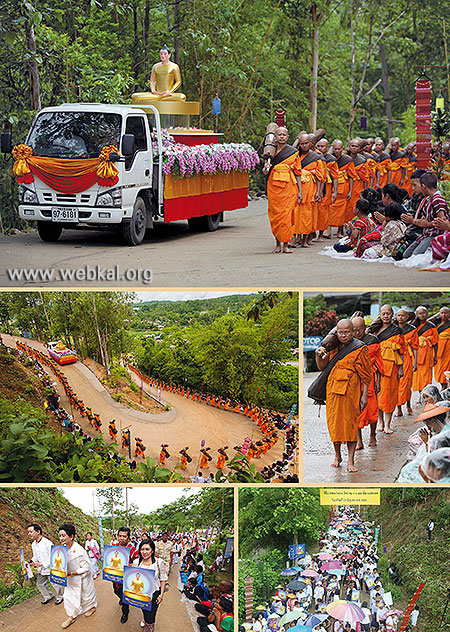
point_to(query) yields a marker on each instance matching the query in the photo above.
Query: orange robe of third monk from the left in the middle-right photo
(392, 349)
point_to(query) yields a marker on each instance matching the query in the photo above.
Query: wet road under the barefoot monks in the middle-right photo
(379, 464)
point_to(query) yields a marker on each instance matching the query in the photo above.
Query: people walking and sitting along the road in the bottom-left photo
(158, 551)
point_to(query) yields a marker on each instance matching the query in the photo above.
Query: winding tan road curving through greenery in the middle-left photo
(187, 423)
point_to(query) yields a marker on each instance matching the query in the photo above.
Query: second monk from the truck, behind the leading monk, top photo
(313, 176)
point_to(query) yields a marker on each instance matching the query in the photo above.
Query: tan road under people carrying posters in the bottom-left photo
(31, 616)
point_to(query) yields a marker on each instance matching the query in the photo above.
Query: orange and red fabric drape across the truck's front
(63, 174)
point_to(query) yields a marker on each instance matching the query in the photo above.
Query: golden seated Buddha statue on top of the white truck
(164, 81)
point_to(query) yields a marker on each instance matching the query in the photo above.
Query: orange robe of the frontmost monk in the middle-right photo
(344, 392)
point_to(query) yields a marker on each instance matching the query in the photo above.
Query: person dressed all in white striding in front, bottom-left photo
(79, 594)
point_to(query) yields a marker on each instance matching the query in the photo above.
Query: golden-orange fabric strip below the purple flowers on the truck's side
(204, 183)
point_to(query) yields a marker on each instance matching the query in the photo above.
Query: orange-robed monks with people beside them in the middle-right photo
(369, 372)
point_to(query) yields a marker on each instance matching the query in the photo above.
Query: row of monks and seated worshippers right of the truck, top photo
(374, 195)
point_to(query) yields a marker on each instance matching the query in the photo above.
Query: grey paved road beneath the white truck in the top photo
(237, 255)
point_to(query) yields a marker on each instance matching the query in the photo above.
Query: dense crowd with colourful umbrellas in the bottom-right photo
(344, 571)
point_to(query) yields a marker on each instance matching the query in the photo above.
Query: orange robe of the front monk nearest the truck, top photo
(282, 192)
